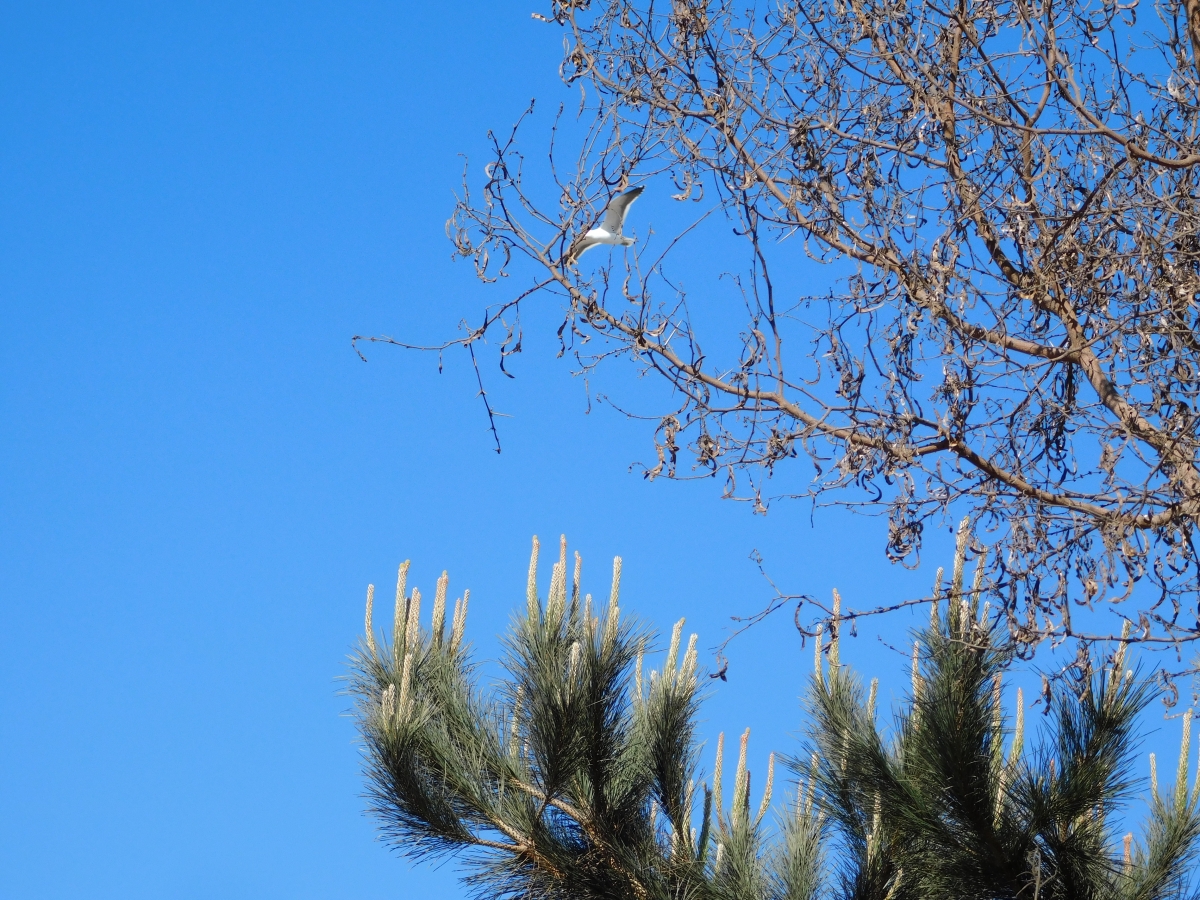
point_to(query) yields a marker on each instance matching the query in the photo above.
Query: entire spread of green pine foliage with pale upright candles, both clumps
(578, 776)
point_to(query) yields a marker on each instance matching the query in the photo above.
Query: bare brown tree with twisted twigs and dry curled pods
(1012, 193)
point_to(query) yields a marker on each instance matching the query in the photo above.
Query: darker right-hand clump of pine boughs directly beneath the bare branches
(941, 811)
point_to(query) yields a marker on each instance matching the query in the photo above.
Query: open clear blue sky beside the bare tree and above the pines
(200, 205)
